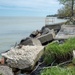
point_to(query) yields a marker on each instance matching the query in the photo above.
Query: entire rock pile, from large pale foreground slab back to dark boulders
(27, 53)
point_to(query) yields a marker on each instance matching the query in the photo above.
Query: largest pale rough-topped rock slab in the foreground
(24, 57)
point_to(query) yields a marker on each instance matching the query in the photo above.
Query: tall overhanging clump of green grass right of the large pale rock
(60, 52)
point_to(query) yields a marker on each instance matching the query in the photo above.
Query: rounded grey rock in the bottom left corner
(5, 70)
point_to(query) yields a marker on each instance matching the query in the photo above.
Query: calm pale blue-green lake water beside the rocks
(13, 29)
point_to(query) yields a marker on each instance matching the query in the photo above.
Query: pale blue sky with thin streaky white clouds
(28, 7)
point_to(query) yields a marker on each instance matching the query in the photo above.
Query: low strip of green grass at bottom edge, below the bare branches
(58, 71)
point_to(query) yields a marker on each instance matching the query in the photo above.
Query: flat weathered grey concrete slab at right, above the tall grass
(66, 31)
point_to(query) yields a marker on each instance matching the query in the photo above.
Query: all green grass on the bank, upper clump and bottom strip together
(61, 53)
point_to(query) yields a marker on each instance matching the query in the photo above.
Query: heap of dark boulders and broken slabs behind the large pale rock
(43, 36)
